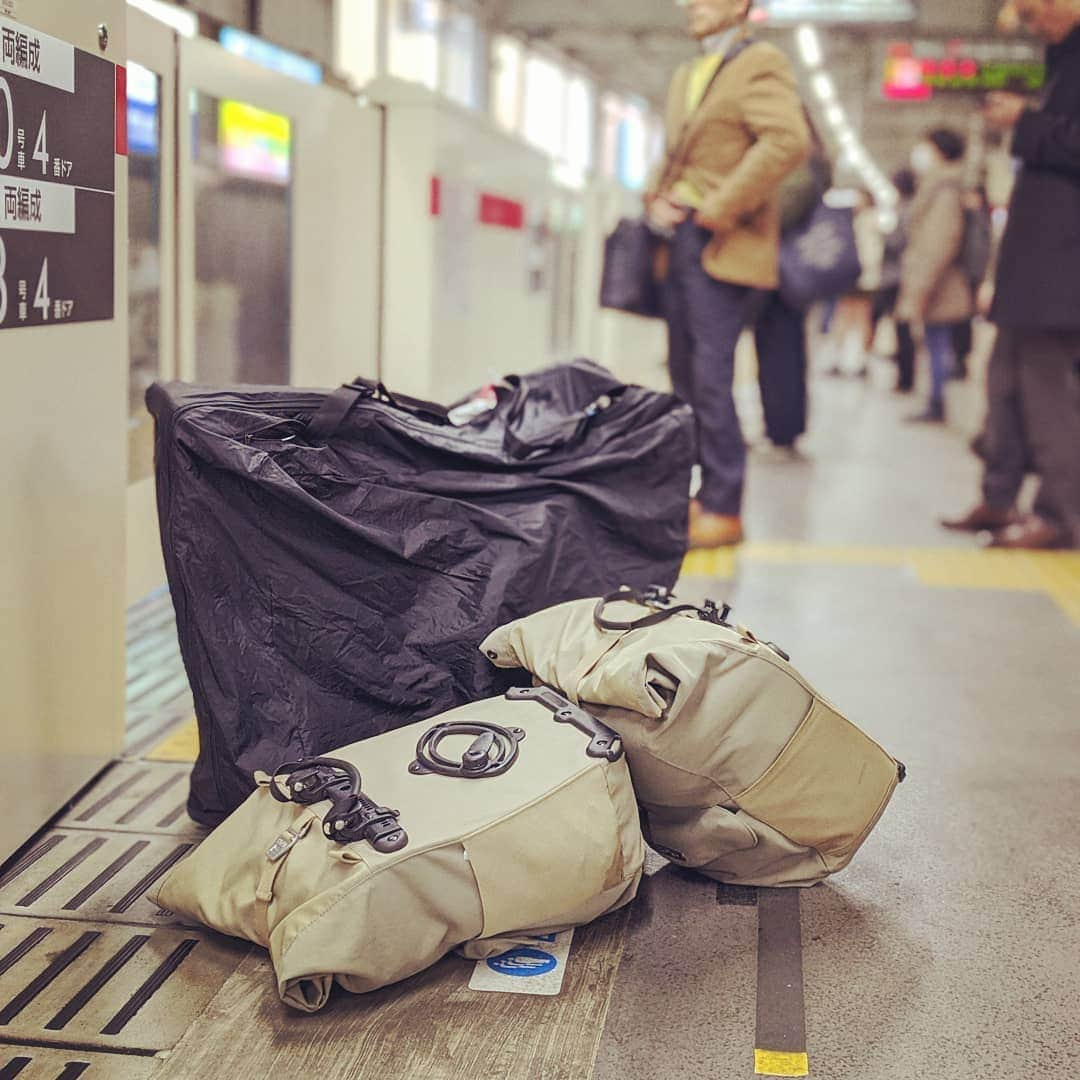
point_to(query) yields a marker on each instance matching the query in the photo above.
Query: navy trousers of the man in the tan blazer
(705, 320)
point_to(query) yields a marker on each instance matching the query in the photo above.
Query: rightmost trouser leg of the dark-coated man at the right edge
(1050, 396)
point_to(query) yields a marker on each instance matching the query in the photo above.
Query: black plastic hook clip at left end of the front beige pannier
(353, 815)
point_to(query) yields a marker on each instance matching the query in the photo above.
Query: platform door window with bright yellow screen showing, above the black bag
(244, 272)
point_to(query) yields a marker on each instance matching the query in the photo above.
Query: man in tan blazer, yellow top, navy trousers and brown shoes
(736, 129)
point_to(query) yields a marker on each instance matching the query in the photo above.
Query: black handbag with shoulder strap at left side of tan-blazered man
(629, 281)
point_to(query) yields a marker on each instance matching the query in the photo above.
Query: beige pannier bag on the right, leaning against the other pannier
(742, 771)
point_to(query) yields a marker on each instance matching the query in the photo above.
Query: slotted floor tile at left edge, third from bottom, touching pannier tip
(75, 874)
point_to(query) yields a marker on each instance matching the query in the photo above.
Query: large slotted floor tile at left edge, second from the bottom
(106, 987)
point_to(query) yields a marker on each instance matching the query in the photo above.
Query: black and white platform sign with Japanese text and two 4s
(58, 181)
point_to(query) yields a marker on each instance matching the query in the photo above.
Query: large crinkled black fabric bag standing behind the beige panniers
(335, 559)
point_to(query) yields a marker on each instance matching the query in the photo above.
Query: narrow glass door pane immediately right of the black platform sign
(144, 262)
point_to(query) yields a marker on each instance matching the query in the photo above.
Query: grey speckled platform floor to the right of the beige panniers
(950, 949)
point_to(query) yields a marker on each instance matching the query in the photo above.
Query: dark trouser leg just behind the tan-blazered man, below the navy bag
(780, 335)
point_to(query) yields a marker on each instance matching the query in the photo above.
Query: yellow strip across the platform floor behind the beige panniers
(1055, 574)
